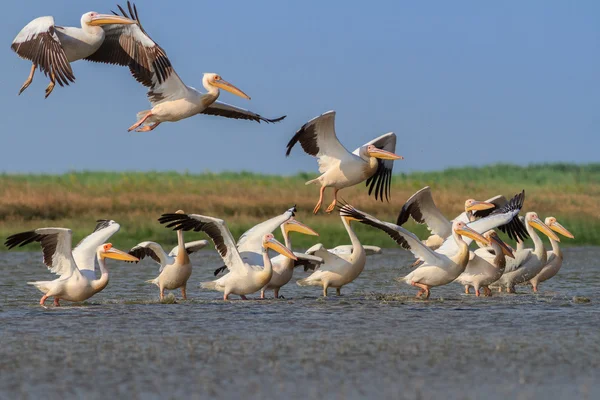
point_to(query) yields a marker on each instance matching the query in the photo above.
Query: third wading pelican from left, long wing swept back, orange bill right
(243, 277)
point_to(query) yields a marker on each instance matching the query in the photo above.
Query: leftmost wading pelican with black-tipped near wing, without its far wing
(71, 285)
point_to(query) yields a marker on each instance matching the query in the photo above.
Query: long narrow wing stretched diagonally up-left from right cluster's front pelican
(403, 237)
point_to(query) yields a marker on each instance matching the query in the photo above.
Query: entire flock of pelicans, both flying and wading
(441, 259)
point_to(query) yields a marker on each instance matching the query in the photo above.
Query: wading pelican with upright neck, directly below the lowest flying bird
(337, 270)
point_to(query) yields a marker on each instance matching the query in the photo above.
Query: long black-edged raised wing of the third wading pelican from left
(217, 231)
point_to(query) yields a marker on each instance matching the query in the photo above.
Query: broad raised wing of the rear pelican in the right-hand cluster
(421, 207)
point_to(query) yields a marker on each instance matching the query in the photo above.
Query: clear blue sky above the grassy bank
(461, 83)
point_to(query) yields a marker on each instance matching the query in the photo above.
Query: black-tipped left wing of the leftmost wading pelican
(56, 247)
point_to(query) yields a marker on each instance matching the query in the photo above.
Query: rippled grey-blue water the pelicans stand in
(375, 340)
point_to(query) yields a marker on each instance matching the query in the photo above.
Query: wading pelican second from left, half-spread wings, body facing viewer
(175, 267)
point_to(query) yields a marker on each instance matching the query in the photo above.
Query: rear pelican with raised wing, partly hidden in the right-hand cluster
(421, 207)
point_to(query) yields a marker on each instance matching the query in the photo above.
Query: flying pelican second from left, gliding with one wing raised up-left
(170, 98)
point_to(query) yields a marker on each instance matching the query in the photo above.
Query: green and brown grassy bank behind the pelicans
(75, 200)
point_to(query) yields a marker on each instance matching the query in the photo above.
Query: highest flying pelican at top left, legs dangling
(52, 48)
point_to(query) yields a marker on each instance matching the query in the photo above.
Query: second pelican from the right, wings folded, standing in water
(528, 262)
